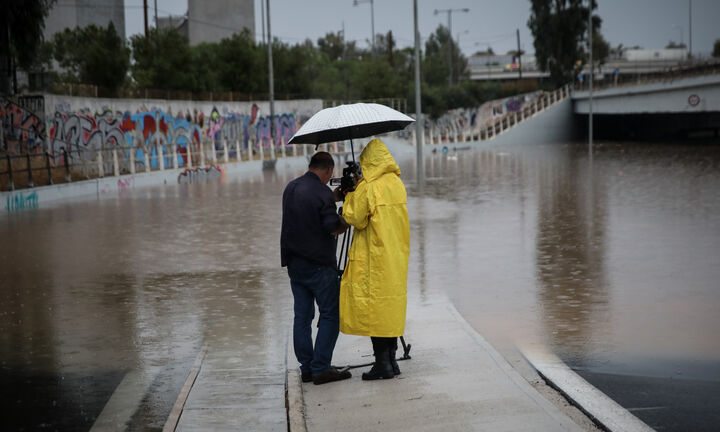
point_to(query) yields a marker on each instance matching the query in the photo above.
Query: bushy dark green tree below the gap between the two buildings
(163, 60)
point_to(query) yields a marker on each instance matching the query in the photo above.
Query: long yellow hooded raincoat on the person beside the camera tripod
(373, 292)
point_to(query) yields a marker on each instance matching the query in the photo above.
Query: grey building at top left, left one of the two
(82, 13)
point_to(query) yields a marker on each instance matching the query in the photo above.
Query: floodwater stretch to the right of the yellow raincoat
(532, 242)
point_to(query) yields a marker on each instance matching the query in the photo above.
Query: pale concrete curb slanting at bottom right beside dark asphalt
(604, 411)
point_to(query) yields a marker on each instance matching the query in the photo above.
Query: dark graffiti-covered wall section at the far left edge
(22, 131)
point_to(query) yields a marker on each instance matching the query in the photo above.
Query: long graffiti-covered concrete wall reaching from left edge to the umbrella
(85, 125)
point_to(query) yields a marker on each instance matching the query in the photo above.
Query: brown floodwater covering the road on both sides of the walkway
(614, 263)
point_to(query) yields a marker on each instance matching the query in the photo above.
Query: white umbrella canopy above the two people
(350, 121)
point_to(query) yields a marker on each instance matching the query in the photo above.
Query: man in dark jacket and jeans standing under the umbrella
(307, 246)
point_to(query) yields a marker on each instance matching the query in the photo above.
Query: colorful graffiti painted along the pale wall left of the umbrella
(149, 131)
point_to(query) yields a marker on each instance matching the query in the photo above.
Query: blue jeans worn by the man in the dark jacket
(314, 283)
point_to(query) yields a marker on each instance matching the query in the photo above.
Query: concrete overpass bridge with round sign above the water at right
(672, 107)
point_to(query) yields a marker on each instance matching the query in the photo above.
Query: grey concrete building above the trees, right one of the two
(213, 20)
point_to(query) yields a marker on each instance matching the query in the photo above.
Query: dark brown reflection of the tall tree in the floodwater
(571, 227)
